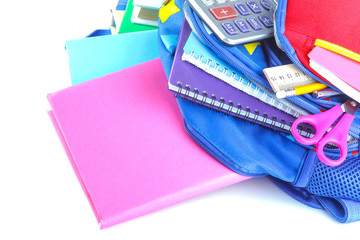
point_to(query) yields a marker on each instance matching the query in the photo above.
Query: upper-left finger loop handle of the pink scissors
(321, 122)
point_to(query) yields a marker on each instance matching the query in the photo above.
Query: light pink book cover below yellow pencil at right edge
(344, 68)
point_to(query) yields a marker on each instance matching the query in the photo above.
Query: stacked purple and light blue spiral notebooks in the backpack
(205, 81)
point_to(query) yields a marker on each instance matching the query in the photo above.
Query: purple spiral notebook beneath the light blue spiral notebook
(196, 85)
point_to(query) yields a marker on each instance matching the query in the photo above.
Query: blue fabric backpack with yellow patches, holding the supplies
(295, 168)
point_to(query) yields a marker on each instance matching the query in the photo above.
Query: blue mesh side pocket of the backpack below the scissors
(342, 181)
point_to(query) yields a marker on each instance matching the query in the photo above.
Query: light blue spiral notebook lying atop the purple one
(196, 53)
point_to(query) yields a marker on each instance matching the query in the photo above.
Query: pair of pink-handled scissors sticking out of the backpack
(322, 122)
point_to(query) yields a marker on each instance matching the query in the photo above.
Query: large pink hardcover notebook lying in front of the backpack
(124, 136)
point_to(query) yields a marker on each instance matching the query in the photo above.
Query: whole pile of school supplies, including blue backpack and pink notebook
(253, 109)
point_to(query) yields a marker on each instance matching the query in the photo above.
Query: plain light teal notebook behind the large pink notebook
(110, 53)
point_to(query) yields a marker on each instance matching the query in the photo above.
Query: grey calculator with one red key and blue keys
(237, 21)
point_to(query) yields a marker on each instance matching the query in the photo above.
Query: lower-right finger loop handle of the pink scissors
(338, 136)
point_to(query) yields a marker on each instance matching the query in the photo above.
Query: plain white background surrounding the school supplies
(40, 197)
